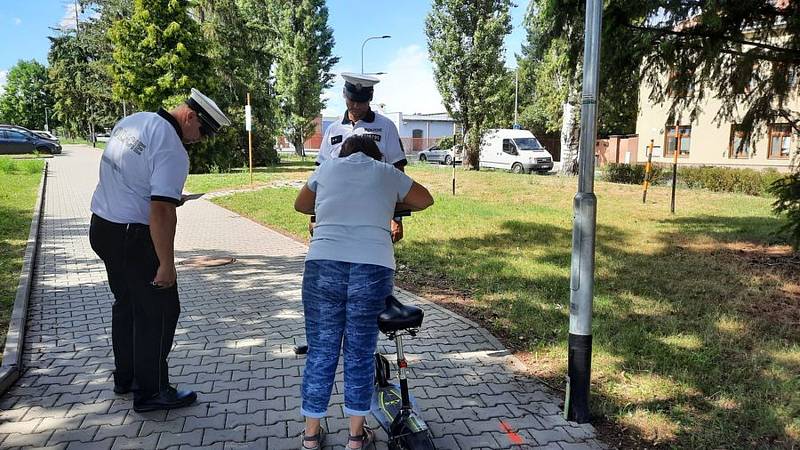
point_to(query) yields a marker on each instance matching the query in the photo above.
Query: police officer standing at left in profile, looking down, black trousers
(142, 172)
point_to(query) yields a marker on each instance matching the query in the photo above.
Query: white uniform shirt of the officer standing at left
(144, 160)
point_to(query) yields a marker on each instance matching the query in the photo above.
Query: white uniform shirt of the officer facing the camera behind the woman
(372, 125)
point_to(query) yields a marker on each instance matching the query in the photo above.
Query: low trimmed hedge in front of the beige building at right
(718, 179)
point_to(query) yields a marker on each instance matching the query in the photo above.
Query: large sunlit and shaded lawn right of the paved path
(696, 315)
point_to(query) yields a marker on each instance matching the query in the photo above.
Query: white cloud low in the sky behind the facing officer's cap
(407, 87)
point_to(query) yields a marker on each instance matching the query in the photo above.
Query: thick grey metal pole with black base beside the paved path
(576, 405)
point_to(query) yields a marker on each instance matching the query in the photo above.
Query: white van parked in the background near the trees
(515, 150)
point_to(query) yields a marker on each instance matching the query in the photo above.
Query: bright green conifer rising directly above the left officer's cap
(158, 55)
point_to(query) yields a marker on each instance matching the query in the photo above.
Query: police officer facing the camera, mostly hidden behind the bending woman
(359, 119)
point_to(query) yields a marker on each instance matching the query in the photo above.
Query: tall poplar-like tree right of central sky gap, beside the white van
(465, 43)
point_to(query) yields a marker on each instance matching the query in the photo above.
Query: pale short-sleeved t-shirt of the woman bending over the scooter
(355, 199)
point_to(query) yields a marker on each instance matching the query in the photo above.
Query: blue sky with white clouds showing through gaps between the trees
(408, 85)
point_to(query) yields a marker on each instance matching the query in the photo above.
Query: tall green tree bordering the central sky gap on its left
(304, 47)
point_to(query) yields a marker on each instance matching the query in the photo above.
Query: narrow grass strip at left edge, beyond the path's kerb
(19, 183)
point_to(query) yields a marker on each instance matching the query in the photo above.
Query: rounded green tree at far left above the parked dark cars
(26, 96)
